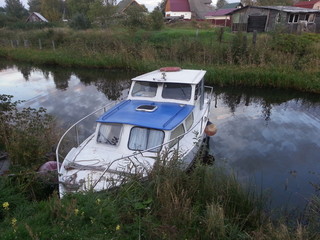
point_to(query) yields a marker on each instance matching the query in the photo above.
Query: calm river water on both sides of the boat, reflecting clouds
(270, 139)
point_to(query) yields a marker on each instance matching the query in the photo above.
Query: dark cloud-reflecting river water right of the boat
(270, 138)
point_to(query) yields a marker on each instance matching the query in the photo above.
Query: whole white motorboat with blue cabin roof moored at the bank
(166, 112)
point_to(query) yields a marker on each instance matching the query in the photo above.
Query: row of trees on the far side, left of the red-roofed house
(81, 14)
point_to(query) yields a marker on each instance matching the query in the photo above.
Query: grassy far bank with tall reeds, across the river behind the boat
(275, 60)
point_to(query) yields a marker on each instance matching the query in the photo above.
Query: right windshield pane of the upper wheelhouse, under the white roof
(177, 91)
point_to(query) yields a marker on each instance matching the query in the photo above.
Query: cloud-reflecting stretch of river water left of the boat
(68, 94)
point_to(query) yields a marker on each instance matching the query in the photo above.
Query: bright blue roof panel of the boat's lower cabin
(166, 116)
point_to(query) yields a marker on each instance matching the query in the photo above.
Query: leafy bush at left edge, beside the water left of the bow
(26, 134)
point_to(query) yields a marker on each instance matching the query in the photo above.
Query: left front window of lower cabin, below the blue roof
(109, 133)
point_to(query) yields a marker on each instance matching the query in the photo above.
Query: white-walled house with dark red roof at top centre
(177, 9)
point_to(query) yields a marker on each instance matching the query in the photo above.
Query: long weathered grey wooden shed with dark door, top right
(268, 18)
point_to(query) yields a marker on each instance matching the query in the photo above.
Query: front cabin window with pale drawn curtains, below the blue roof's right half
(145, 138)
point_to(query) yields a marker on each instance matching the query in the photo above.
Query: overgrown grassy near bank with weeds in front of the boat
(203, 204)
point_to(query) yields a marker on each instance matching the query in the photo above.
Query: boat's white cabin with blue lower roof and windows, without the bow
(161, 106)
